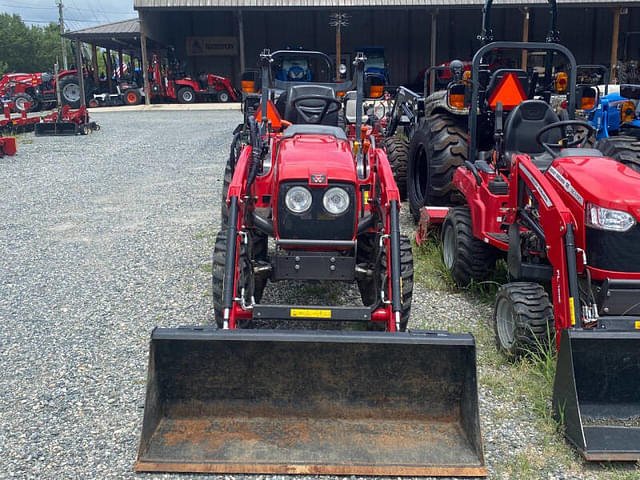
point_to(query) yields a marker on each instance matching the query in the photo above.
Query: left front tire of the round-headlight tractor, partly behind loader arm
(259, 247)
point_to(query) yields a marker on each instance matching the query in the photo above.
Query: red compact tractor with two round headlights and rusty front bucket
(306, 203)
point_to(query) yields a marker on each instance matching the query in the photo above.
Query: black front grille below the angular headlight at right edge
(615, 251)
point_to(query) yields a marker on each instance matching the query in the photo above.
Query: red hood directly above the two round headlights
(323, 156)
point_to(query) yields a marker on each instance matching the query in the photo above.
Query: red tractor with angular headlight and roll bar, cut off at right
(567, 221)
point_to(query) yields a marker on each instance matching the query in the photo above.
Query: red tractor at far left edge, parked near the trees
(39, 89)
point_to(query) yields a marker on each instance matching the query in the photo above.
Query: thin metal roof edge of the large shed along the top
(249, 4)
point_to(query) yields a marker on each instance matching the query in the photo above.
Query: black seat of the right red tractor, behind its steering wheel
(523, 124)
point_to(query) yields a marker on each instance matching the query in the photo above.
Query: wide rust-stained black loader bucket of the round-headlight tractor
(311, 402)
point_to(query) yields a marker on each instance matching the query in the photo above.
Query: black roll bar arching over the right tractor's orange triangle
(475, 73)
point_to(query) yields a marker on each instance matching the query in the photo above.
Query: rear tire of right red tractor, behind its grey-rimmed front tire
(466, 257)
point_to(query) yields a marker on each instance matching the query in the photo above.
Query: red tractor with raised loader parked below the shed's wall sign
(185, 89)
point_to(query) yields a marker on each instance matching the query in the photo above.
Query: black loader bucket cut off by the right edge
(597, 393)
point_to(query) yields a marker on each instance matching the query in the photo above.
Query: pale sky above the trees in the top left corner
(78, 13)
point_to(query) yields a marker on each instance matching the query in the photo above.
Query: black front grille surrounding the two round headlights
(316, 223)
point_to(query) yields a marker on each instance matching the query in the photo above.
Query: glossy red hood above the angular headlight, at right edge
(599, 180)
